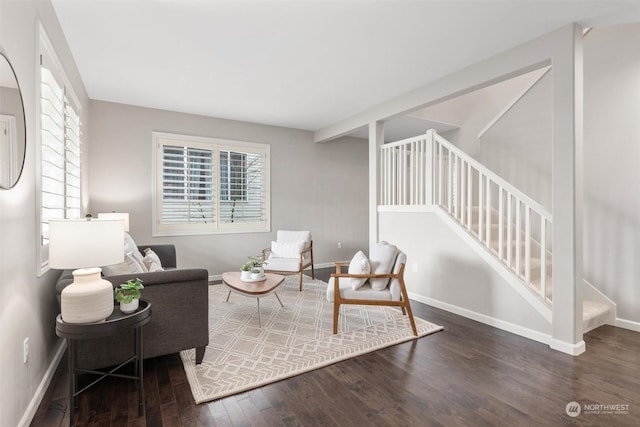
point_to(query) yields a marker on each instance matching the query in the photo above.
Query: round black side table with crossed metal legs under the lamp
(114, 324)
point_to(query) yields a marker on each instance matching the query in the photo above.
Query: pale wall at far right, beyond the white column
(612, 165)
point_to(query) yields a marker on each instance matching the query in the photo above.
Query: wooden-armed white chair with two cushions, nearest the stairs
(378, 280)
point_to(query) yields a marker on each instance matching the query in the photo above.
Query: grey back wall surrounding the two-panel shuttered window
(319, 187)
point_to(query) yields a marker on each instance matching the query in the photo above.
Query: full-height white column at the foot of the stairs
(567, 194)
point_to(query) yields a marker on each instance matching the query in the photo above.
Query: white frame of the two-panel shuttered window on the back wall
(215, 145)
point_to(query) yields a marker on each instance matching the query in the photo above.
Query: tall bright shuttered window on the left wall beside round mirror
(60, 146)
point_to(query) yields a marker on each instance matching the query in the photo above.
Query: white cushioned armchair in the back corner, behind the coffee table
(291, 253)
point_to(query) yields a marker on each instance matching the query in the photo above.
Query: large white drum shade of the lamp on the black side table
(85, 243)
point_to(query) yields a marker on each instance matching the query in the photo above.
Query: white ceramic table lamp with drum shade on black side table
(86, 243)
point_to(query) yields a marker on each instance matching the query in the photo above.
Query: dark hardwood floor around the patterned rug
(469, 374)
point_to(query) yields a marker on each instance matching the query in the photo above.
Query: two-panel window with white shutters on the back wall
(207, 185)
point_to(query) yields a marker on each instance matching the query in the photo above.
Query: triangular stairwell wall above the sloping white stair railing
(518, 146)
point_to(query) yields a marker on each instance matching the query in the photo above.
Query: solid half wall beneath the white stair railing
(450, 272)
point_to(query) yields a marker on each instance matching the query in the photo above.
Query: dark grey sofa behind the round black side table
(179, 319)
